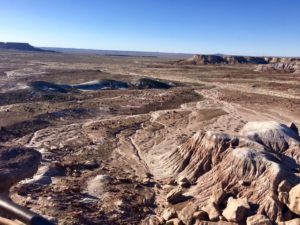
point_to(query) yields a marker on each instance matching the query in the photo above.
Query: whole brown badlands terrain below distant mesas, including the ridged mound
(116, 140)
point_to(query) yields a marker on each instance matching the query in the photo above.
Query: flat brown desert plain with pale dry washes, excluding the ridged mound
(103, 151)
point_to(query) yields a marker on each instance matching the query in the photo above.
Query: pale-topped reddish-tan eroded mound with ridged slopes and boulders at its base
(259, 166)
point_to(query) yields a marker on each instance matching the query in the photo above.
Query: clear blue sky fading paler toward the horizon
(244, 27)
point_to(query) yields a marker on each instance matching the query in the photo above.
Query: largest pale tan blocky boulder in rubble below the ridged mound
(236, 209)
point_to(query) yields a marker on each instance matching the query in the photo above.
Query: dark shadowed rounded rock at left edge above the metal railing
(16, 164)
